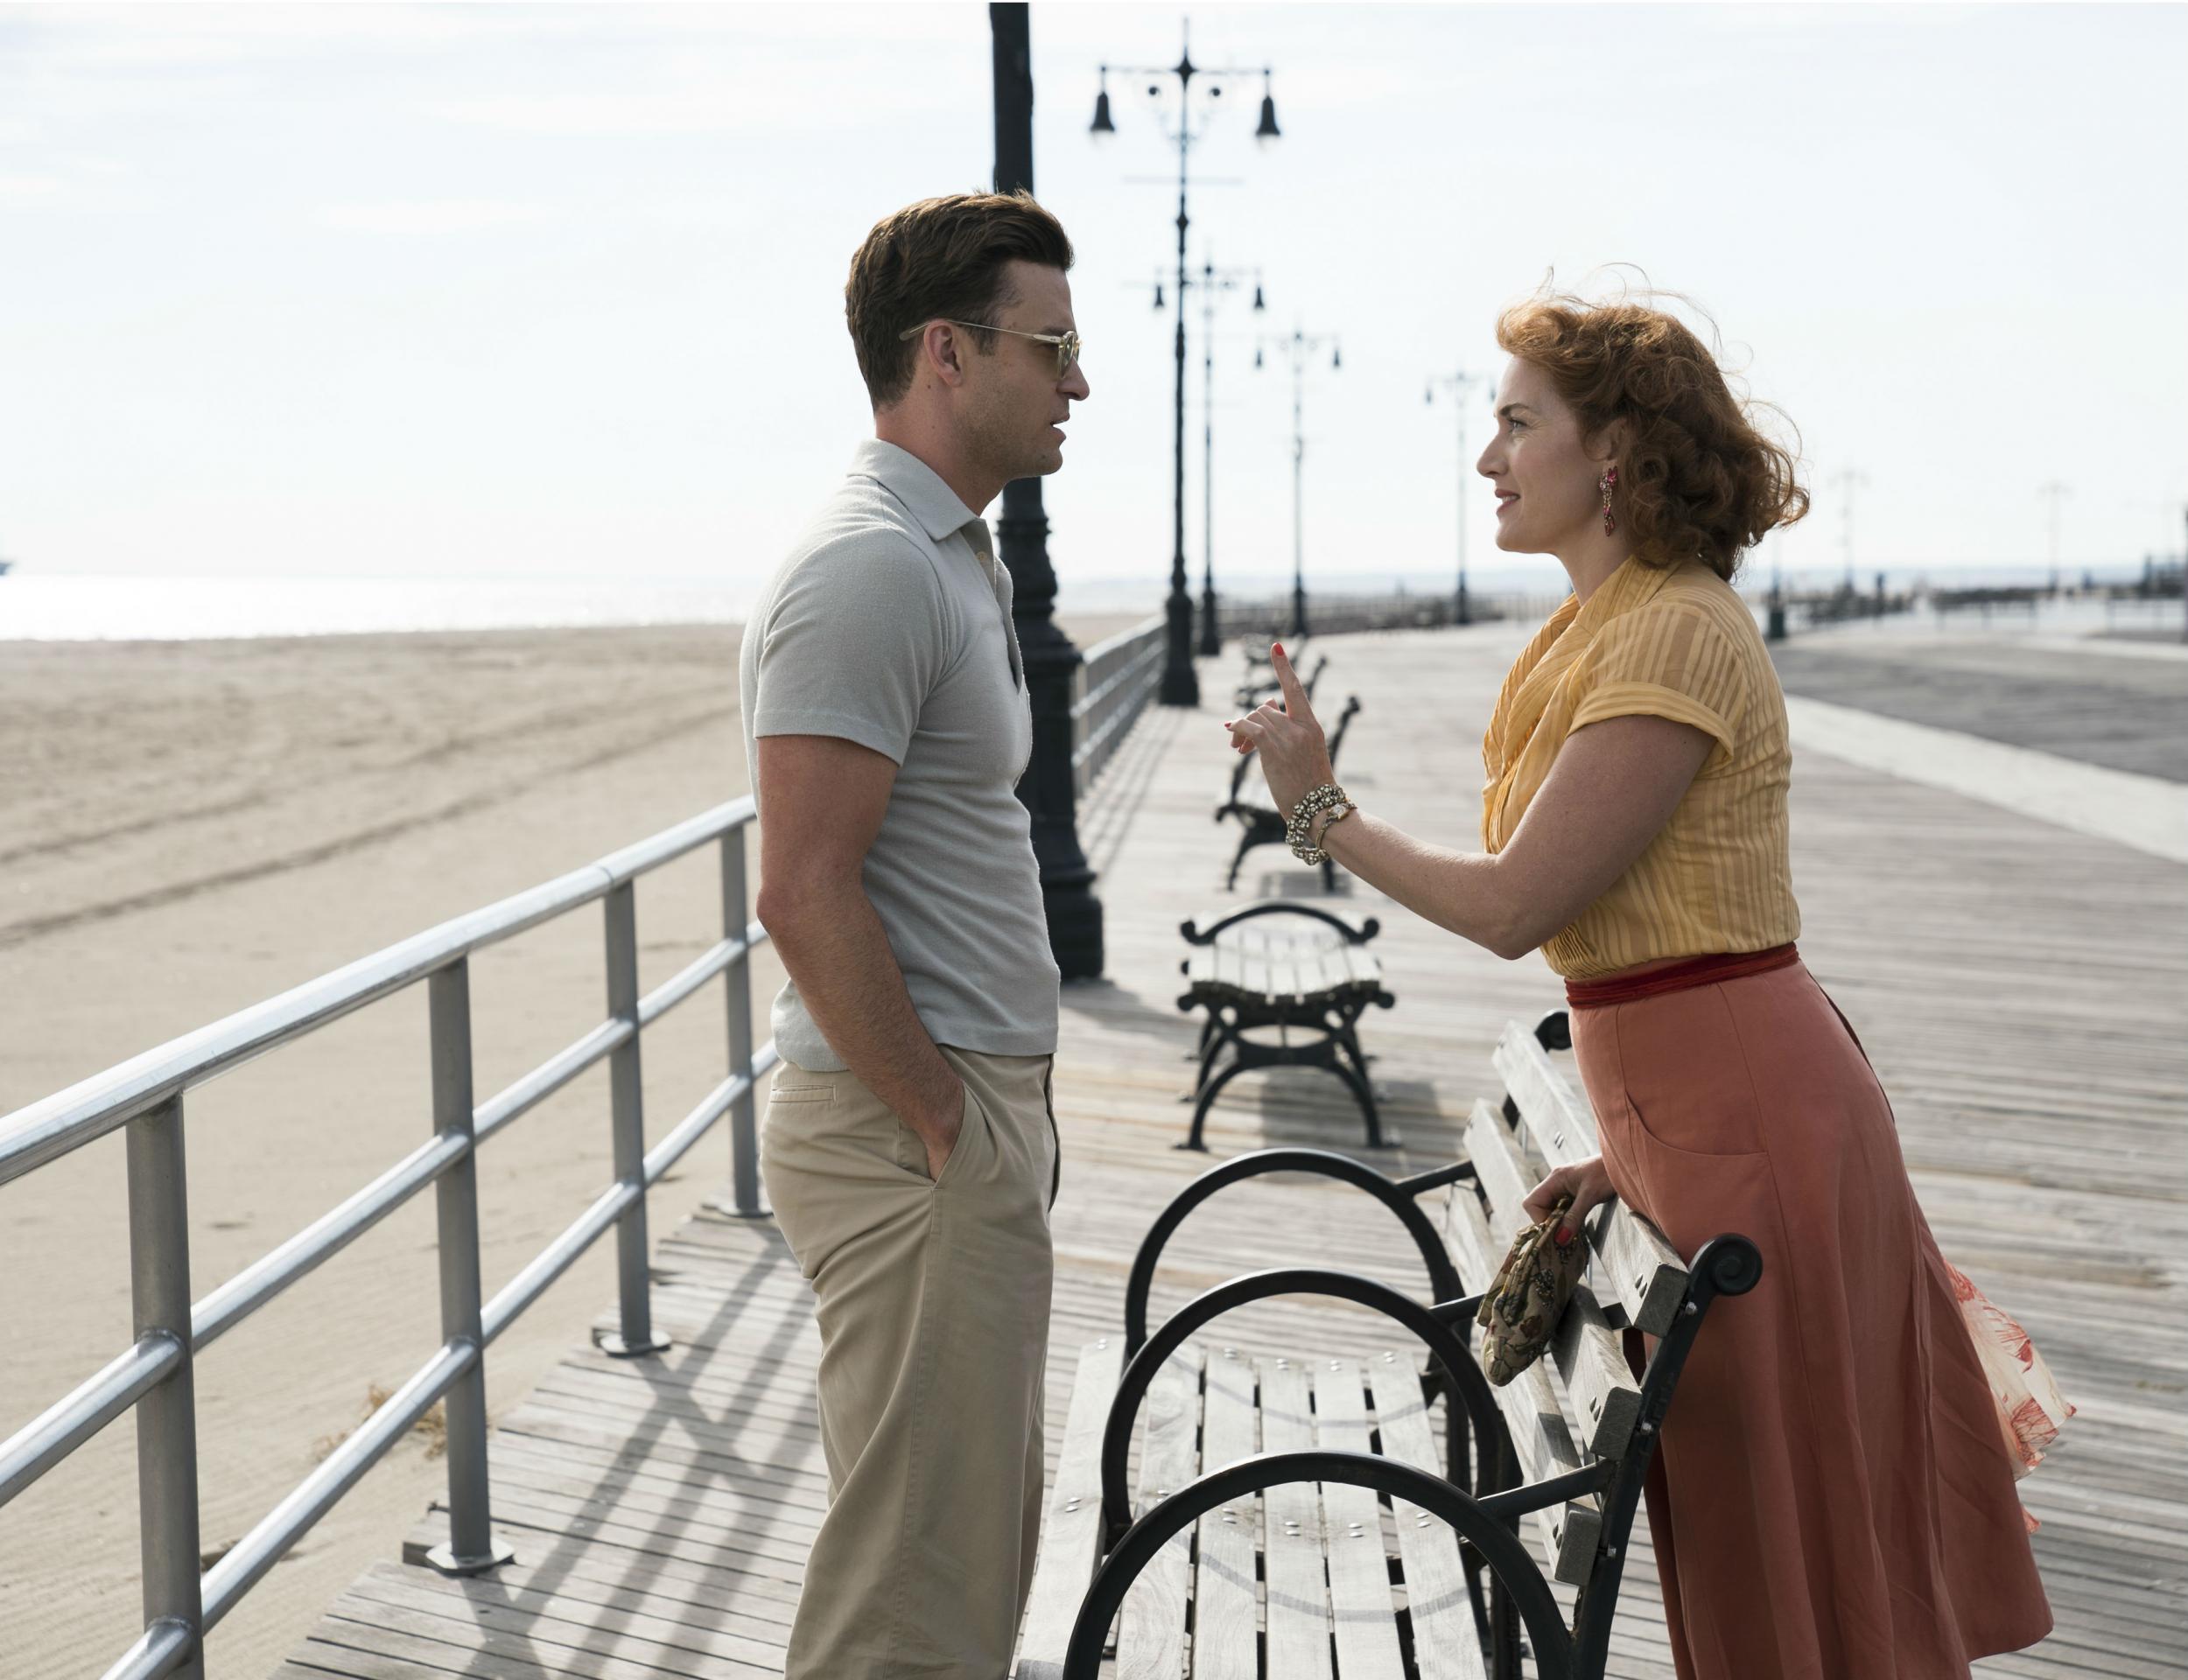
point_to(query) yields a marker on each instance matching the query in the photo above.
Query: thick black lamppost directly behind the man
(1075, 933)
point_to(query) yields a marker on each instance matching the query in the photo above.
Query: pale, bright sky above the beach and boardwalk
(559, 290)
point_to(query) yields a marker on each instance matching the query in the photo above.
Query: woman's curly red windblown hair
(1697, 478)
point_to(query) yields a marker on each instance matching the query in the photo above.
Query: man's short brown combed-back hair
(940, 259)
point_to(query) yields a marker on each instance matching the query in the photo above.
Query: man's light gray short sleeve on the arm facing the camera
(852, 644)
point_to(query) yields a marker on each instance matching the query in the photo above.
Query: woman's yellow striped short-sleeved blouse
(1673, 644)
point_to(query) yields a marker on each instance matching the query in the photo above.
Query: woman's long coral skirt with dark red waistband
(1832, 1497)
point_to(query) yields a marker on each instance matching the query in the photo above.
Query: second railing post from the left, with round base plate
(472, 1545)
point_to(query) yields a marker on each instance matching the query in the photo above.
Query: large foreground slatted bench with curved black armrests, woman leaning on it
(1294, 1517)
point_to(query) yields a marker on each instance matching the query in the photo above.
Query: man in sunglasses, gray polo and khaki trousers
(911, 1150)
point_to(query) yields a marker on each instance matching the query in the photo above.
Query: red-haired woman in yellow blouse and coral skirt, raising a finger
(1832, 1497)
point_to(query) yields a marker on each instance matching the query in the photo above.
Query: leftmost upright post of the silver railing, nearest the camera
(167, 1416)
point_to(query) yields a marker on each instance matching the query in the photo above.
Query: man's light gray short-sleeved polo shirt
(892, 627)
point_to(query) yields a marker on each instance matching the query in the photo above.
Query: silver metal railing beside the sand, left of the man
(146, 1099)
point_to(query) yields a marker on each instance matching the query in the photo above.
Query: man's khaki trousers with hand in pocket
(933, 1305)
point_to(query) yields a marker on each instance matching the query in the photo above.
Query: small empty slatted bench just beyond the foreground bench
(1307, 983)
